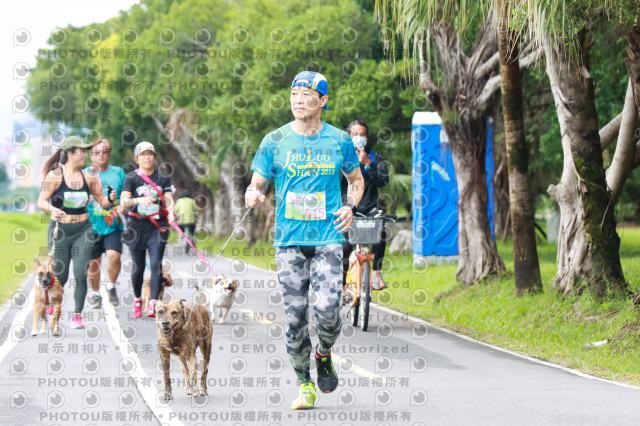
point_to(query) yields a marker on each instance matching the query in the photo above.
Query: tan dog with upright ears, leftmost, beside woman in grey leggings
(48, 290)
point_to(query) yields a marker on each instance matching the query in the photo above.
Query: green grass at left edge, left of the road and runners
(24, 236)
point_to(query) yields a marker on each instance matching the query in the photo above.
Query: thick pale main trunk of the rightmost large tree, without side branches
(588, 243)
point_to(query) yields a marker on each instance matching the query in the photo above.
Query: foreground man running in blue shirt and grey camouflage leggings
(305, 158)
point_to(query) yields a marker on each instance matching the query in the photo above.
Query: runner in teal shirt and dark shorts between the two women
(106, 224)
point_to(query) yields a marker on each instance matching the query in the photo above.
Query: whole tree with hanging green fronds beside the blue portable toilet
(460, 81)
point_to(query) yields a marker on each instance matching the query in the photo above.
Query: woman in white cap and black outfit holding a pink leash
(147, 190)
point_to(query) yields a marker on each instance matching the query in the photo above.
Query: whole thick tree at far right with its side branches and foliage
(589, 245)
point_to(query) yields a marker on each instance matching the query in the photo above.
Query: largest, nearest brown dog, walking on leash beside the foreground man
(175, 338)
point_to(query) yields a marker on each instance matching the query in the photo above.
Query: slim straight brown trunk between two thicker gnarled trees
(525, 255)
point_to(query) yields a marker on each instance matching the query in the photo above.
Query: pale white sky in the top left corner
(25, 26)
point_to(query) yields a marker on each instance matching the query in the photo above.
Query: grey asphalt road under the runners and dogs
(402, 371)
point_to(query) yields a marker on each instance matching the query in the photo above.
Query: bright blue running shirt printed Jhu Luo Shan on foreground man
(306, 175)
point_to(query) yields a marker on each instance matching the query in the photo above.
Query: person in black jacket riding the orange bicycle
(376, 175)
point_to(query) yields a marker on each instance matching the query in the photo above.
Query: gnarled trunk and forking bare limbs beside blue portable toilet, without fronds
(462, 102)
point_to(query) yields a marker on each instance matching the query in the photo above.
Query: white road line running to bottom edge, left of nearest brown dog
(150, 393)
